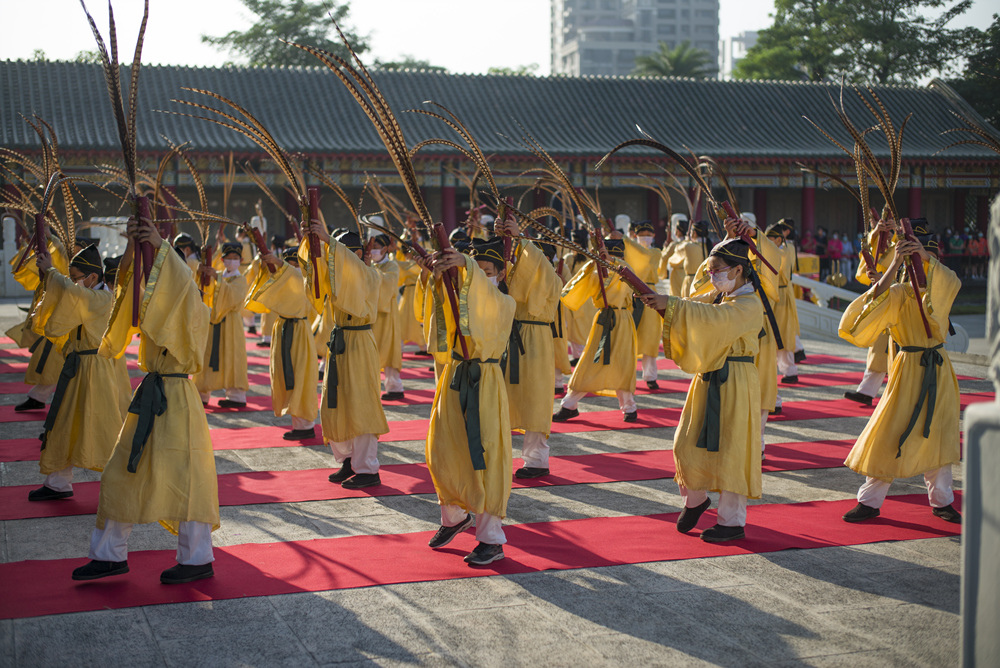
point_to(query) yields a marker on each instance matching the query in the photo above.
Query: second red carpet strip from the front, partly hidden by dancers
(238, 489)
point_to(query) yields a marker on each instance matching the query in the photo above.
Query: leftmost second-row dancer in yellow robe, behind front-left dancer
(91, 397)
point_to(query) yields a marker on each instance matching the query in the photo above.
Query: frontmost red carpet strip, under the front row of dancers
(35, 588)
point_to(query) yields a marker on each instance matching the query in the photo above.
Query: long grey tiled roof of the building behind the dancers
(309, 111)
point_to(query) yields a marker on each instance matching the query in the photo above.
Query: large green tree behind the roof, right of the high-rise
(878, 41)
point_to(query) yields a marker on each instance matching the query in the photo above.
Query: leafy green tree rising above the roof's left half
(303, 21)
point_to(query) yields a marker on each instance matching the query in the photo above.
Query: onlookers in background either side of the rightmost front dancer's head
(965, 252)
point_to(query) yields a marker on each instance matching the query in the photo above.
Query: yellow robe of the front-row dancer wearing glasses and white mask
(699, 337)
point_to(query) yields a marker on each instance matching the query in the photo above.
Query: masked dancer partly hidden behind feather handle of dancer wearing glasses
(644, 260)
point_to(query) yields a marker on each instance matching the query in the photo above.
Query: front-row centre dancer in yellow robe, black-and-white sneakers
(468, 441)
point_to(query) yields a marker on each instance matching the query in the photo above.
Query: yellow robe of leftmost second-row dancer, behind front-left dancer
(96, 398)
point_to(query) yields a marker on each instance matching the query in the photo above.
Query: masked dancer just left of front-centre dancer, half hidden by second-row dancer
(388, 331)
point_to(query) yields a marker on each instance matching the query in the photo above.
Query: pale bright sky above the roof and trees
(461, 35)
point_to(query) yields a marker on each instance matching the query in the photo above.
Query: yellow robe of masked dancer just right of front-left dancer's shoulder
(225, 296)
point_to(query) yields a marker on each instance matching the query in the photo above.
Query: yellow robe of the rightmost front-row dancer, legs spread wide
(874, 453)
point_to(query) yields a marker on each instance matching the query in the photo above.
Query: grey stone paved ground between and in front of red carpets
(891, 603)
